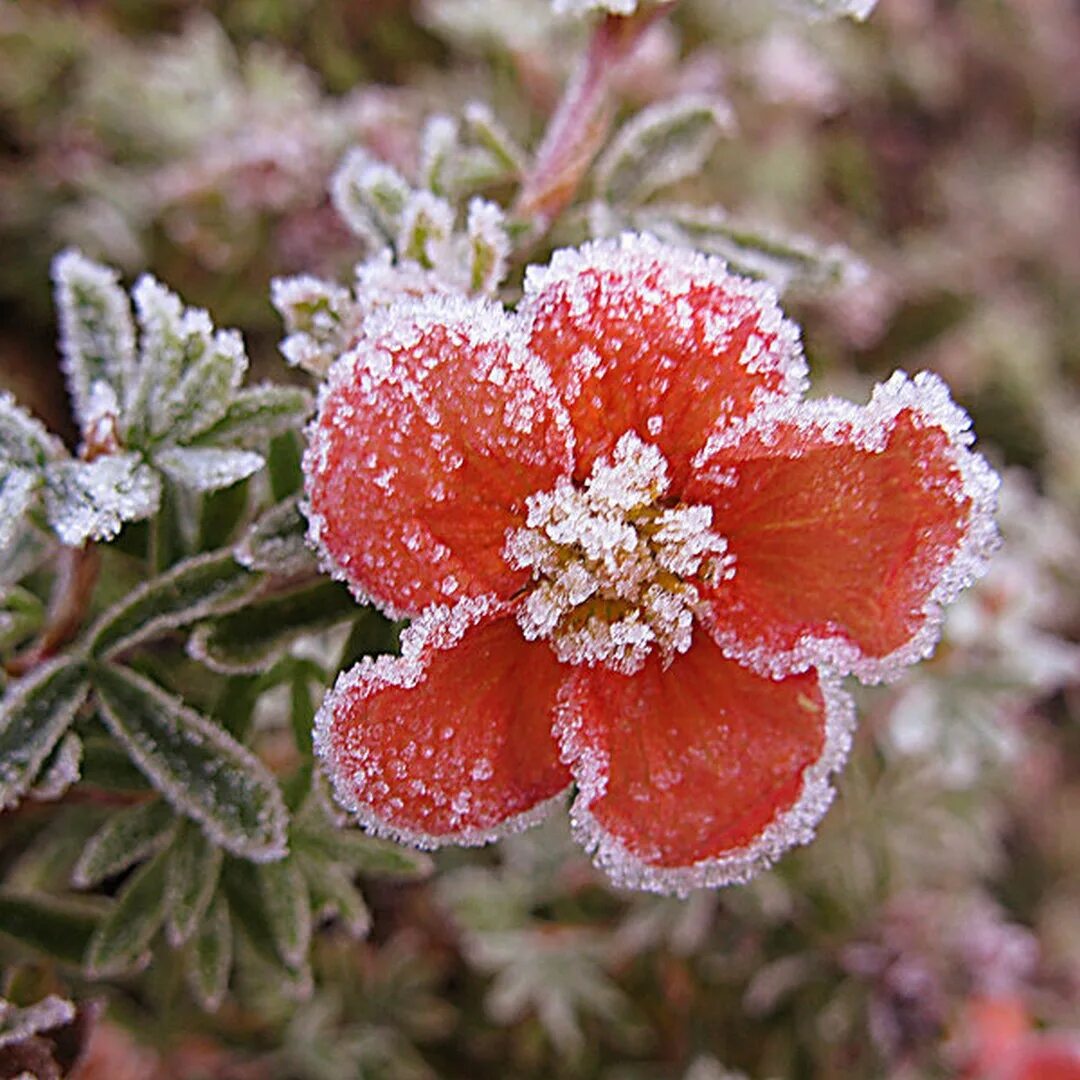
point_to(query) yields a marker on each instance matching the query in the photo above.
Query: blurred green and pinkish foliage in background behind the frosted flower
(940, 142)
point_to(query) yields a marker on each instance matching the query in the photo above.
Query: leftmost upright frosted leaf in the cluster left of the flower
(98, 339)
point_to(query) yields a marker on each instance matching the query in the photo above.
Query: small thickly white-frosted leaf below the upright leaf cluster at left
(91, 501)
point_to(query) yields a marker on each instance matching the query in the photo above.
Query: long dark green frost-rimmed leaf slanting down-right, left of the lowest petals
(196, 766)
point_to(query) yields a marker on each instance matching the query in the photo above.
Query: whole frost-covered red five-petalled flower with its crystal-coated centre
(660, 558)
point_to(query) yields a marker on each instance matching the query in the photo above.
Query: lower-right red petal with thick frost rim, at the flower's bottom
(703, 773)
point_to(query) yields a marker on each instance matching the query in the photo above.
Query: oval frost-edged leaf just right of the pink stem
(663, 145)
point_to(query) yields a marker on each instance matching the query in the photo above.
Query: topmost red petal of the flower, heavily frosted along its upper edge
(650, 339)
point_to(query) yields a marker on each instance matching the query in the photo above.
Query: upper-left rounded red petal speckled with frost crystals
(430, 435)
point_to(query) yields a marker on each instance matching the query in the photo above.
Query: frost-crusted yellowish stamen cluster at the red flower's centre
(615, 562)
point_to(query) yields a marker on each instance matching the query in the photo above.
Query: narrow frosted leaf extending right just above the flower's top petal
(785, 262)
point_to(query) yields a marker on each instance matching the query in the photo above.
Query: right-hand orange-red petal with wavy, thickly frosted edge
(850, 528)
